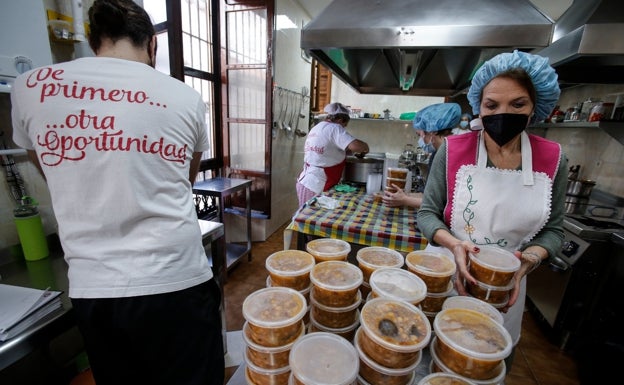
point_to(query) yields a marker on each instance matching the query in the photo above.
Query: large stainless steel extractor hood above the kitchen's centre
(420, 47)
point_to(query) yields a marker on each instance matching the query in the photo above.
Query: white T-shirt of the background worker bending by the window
(325, 146)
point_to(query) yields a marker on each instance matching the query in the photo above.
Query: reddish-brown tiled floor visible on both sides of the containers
(536, 361)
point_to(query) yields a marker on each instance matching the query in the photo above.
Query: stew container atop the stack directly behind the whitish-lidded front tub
(335, 283)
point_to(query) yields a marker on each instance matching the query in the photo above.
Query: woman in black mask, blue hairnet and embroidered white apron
(512, 183)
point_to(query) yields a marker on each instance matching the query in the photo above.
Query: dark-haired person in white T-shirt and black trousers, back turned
(119, 145)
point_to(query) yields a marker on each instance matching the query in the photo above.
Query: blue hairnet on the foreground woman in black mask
(542, 74)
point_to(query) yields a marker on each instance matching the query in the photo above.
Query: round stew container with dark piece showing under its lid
(393, 332)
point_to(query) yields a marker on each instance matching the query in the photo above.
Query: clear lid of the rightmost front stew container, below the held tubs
(472, 333)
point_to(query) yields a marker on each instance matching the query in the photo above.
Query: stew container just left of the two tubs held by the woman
(436, 269)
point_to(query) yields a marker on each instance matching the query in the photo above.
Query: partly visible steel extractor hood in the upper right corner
(588, 43)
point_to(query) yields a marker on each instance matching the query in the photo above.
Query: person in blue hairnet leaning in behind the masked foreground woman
(437, 122)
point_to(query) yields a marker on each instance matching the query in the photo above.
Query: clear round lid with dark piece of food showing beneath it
(394, 324)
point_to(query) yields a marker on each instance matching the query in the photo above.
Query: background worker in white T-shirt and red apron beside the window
(325, 150)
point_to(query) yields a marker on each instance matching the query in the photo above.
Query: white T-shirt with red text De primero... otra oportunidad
(115, 139)
